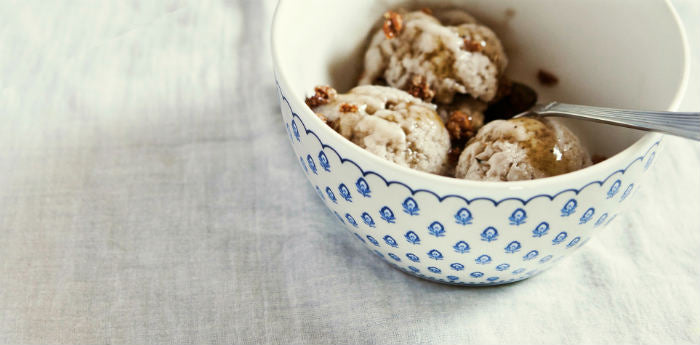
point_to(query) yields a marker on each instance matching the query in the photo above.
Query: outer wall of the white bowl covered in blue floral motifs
(455, 239)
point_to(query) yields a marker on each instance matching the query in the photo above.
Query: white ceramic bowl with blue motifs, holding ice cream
(472, 232)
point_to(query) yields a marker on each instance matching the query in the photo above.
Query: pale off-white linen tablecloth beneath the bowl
(148, 194)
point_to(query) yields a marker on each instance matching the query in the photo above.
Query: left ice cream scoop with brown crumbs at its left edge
(388, 122)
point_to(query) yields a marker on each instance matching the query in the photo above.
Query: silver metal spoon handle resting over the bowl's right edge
(683, 124)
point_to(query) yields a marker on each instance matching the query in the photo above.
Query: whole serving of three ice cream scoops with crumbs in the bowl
(431, 83)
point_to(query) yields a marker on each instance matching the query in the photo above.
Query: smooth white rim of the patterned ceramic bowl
(602, 168)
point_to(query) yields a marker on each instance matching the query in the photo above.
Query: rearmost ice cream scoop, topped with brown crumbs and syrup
(414, 51)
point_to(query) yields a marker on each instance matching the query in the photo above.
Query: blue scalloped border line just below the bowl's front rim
(442, 198)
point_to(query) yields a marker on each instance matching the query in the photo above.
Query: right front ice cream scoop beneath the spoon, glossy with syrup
(521, 149)
